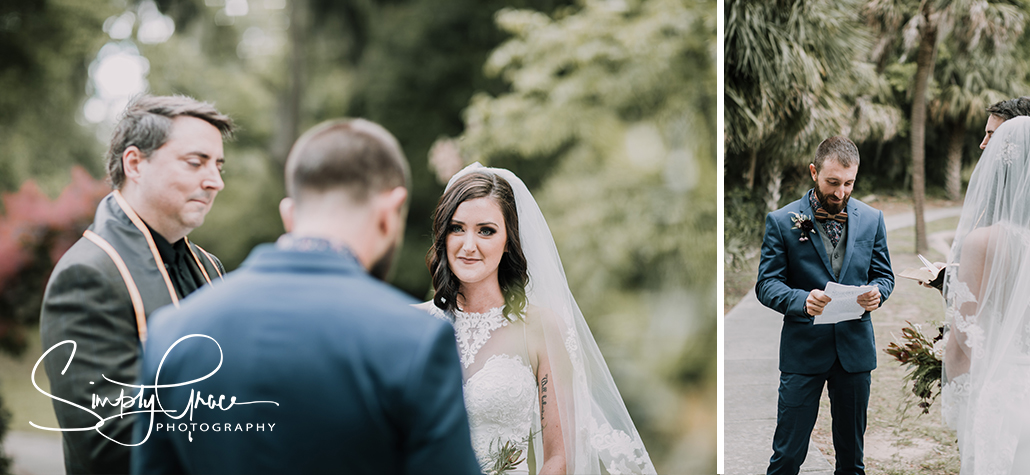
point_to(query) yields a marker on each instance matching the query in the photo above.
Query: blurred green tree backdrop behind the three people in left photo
(607, 110)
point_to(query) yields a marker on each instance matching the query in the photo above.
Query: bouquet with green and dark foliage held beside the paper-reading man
(925, 356)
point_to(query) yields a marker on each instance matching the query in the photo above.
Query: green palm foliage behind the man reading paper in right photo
(800, 72)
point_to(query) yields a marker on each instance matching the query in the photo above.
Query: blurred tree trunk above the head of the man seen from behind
(290, 99)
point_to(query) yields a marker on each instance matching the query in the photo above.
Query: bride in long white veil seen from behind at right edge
(987, 358)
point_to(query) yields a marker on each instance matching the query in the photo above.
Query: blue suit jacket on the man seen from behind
(363, 383)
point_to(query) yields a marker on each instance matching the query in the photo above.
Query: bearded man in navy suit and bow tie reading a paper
(825, 239)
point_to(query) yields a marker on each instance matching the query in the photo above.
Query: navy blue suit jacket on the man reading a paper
(791, 269)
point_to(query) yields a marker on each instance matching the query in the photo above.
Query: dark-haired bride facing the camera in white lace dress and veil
(534, 379)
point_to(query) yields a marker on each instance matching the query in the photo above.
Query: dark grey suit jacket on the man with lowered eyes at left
(89, 301)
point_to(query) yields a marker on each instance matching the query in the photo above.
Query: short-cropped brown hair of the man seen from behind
(356, 156)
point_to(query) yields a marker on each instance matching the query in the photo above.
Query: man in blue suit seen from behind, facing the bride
(330, 370)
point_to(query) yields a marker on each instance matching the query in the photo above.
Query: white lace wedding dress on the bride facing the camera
(500, 381)
